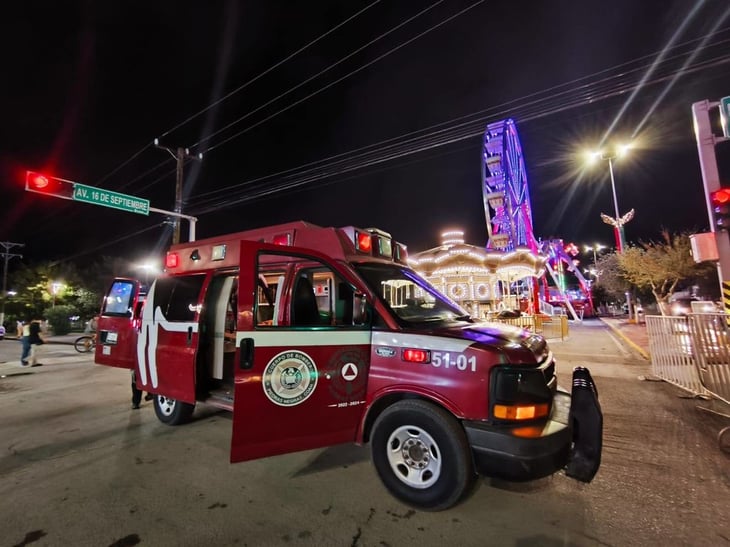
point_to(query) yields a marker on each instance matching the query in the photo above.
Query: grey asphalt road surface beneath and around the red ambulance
(79, 467)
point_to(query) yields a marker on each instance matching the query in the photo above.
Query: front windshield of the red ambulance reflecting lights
(411, 298)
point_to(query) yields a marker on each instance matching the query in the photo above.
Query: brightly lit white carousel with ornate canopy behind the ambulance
(484, 282)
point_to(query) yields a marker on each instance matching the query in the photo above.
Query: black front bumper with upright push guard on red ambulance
(571, 439)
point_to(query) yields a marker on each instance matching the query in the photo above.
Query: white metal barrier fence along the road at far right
(692, 352)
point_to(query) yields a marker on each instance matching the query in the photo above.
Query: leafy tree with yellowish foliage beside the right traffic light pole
(661, 266)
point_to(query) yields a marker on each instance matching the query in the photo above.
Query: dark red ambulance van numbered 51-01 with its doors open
(316, 336)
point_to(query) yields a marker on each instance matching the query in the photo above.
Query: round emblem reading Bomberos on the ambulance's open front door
(290, 378)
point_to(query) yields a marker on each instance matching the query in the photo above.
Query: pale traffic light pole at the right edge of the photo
(706, 142)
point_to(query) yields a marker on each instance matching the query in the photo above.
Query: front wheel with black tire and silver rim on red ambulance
(422, 455)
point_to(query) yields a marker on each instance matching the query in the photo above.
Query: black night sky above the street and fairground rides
(87, 87)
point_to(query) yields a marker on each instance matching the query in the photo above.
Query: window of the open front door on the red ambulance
(319, 296)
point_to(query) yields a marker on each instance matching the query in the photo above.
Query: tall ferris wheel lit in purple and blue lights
(504, 188)
